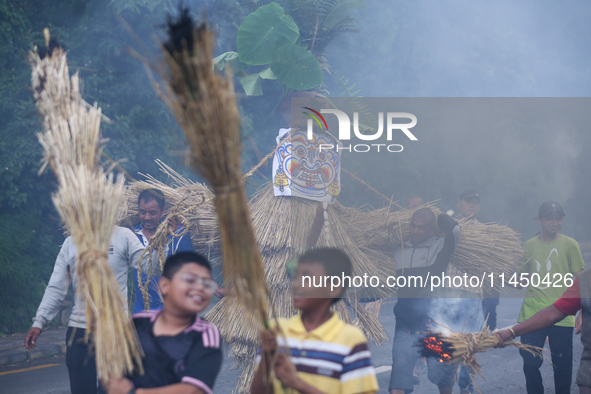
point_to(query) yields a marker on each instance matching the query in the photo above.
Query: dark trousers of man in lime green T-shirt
(561, 346)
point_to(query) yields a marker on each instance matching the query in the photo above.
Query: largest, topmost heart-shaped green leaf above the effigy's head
(264, 31)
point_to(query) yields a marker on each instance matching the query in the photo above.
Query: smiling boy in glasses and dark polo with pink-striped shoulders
(182, 352)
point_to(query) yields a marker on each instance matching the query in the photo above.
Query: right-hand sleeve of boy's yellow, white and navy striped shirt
(358, 374)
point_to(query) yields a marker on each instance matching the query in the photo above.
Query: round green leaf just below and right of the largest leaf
(297, 68)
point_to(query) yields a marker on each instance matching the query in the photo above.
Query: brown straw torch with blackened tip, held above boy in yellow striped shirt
(204, 104)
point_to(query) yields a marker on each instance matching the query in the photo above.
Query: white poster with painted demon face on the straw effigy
(307, 169)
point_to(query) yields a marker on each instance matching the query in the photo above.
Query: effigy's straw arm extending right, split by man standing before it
(483, 247)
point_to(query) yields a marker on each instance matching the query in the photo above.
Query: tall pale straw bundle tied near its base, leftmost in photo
(87, 201)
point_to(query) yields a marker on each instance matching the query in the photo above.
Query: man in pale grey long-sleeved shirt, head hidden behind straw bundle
(124, 254)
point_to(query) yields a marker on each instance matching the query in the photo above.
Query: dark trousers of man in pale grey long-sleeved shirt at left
(80, 362)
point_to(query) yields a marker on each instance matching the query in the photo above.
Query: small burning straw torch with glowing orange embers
(462, 347)
